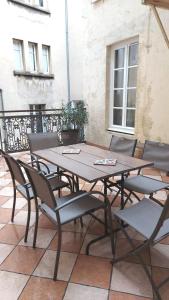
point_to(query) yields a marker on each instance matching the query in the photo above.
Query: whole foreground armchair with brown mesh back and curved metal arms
(66, 209)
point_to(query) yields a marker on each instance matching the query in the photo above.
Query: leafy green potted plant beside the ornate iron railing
(74, 118)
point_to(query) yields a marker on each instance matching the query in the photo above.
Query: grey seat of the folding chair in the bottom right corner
(143, 217)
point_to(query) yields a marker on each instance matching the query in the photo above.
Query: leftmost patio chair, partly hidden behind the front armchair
(21, 184)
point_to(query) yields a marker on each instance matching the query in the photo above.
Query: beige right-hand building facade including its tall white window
(126, 71)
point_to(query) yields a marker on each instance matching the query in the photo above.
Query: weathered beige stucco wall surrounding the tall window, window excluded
(112, 21)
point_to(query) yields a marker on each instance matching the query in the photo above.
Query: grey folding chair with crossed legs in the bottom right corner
(151, 220)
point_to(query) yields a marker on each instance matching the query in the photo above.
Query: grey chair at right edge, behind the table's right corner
(159, 154)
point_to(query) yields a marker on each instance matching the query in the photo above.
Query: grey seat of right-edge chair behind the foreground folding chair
(143, 184)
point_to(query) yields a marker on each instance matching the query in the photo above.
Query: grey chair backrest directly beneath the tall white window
(123, 145)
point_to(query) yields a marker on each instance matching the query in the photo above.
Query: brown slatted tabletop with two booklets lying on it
(82, 164)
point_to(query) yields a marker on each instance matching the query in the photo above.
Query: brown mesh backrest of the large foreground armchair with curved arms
(40, 185)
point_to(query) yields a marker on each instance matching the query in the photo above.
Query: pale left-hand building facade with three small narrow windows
(33, 55)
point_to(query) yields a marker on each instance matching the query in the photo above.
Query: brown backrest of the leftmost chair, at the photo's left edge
(14, 168)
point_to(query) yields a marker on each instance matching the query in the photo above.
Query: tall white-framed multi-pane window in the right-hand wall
(123, 87)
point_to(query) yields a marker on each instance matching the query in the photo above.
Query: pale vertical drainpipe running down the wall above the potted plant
(67, 49)
